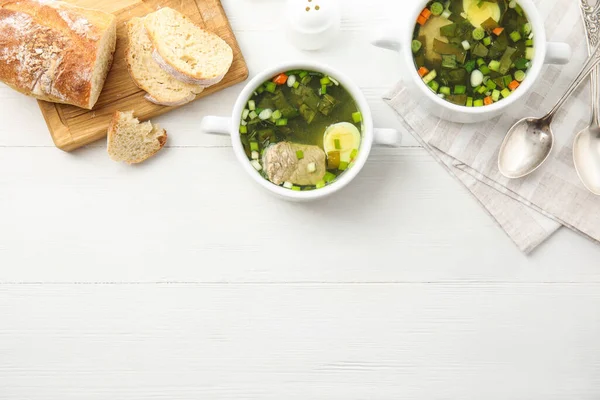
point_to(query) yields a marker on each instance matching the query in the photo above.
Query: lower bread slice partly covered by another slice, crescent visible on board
(161, 87)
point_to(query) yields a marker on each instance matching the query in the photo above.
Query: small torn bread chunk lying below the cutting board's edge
(132, 141)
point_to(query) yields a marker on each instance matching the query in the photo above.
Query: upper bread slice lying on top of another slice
(186, 51)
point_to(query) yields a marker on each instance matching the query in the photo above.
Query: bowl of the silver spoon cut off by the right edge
(586, 156)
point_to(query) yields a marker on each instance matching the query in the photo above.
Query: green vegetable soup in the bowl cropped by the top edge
(473, 53)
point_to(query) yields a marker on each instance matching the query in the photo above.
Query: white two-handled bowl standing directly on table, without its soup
(230, 126)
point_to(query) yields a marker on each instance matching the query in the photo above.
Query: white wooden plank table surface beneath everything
(180, 279)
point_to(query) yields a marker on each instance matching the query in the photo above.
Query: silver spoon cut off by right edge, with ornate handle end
(586, 147)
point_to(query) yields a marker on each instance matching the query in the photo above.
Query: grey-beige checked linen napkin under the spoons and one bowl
(531, 209)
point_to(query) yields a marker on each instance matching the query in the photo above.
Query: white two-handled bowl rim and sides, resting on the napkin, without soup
(399, 37)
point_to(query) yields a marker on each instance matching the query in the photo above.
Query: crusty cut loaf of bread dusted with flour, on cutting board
(55, 51)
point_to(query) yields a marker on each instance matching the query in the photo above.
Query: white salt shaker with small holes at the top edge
(312, 24)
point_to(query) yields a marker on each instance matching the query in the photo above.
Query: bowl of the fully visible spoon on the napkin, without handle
(525, 148)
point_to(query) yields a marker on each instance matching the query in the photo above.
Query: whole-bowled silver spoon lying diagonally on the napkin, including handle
(529, 142)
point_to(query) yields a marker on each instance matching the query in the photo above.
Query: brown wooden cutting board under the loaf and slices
(72, 127)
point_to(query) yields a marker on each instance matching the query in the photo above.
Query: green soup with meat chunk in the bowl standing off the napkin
(301, 130)
